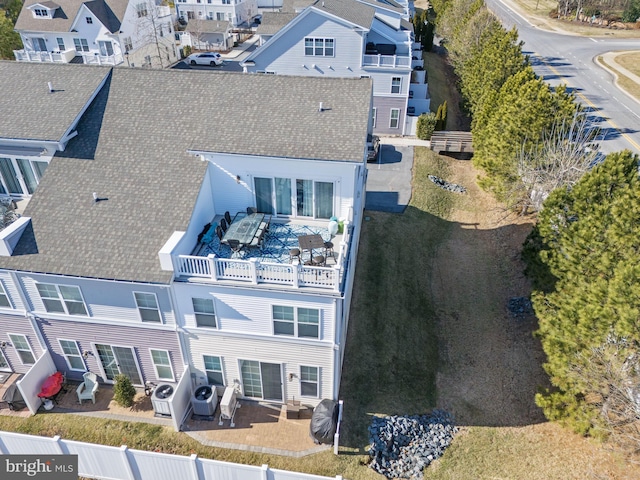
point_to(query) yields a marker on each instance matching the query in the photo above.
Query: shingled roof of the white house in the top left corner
(66, 14)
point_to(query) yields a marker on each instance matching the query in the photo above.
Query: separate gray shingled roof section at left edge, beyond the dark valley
(29, 111)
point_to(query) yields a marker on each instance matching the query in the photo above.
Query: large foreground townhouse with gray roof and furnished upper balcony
(108, 268)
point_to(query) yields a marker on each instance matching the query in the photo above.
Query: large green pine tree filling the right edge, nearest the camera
(587, 240)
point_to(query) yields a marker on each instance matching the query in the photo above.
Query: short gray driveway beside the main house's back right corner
(389, 179)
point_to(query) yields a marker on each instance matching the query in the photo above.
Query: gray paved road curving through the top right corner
(571, 60)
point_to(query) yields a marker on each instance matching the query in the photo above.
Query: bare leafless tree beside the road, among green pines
(563, 155)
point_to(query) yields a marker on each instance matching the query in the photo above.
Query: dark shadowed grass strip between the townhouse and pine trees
(429, 326)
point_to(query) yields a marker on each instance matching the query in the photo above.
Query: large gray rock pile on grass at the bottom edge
(402, 446)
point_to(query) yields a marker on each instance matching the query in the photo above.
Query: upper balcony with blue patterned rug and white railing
(271, 264)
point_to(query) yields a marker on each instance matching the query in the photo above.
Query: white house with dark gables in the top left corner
(103, 32)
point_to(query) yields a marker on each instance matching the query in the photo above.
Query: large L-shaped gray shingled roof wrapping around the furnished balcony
(132, 151)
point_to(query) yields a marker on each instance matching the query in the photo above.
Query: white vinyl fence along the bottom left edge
(121, 463)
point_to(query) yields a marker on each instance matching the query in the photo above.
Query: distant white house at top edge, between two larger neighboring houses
(239, 13)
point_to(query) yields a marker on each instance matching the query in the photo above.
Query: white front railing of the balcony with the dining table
(255, 272)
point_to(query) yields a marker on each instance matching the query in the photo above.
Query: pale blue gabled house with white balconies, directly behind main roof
(349, 38)
